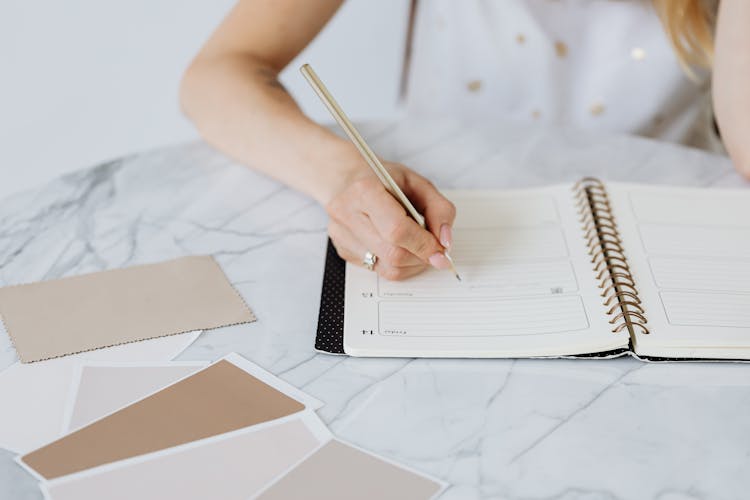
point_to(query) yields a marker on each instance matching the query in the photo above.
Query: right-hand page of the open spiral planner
(689, 250)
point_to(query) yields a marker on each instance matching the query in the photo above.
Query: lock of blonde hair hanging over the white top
(689, 25)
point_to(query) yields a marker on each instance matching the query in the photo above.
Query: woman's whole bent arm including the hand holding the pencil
(232, 93)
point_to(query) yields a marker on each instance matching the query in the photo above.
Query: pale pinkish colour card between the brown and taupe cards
(232, 468)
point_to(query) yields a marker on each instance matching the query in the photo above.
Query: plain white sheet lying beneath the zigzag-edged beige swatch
(34, 395)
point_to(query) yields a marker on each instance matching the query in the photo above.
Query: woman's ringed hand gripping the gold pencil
(365, 217)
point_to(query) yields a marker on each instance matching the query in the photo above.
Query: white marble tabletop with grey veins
(511, 429)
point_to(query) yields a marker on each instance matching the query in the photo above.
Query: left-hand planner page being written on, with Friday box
(527, 289)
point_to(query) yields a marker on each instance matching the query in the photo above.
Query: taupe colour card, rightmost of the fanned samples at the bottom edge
(339, 472)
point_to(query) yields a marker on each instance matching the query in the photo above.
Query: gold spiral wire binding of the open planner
(611, 266)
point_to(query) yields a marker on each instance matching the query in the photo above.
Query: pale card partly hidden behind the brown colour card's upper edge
(104, 389)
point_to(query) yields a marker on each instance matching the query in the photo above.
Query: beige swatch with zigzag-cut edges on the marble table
(54, 318)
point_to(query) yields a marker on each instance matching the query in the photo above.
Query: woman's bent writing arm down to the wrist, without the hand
(232, 93)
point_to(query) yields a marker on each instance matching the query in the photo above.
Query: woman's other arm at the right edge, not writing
(731, 80)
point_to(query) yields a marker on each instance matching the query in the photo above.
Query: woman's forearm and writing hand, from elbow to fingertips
(239, 106)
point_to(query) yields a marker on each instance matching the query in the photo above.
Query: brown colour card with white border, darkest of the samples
(218, 399)
